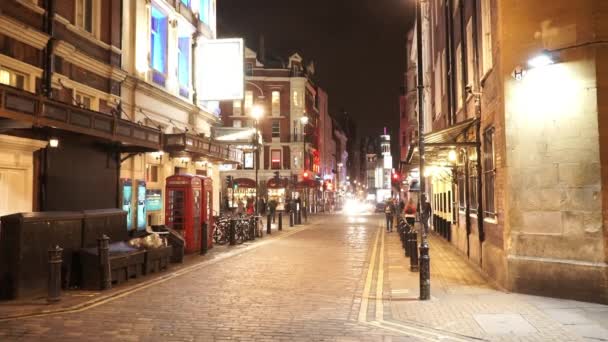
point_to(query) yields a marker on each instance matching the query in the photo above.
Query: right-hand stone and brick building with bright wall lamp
(516, 147)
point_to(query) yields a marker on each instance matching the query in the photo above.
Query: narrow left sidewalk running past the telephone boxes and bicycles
(75, 300)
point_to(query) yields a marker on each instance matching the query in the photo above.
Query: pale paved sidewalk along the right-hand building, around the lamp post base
(463, 302)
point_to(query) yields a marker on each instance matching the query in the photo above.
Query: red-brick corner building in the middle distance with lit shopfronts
(297, 155)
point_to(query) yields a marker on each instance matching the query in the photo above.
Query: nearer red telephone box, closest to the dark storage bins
(184, 208)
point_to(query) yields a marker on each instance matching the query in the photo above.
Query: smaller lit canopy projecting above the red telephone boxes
(202, 147)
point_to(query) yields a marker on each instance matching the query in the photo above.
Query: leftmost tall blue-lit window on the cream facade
(158, 45)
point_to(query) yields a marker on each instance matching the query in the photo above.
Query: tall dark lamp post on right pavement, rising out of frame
(425, 261)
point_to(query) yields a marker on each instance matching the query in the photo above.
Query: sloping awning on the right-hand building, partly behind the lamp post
(439, 143)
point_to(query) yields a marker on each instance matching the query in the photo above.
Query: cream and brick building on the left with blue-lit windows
(115, 106)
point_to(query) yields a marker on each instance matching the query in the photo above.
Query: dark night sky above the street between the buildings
(358, 47)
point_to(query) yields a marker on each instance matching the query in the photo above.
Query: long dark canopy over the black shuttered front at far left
(39, 111)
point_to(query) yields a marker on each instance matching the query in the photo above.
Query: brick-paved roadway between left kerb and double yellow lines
(305, 287)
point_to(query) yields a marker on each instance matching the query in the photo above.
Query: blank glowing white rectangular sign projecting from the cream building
(221, 73)
